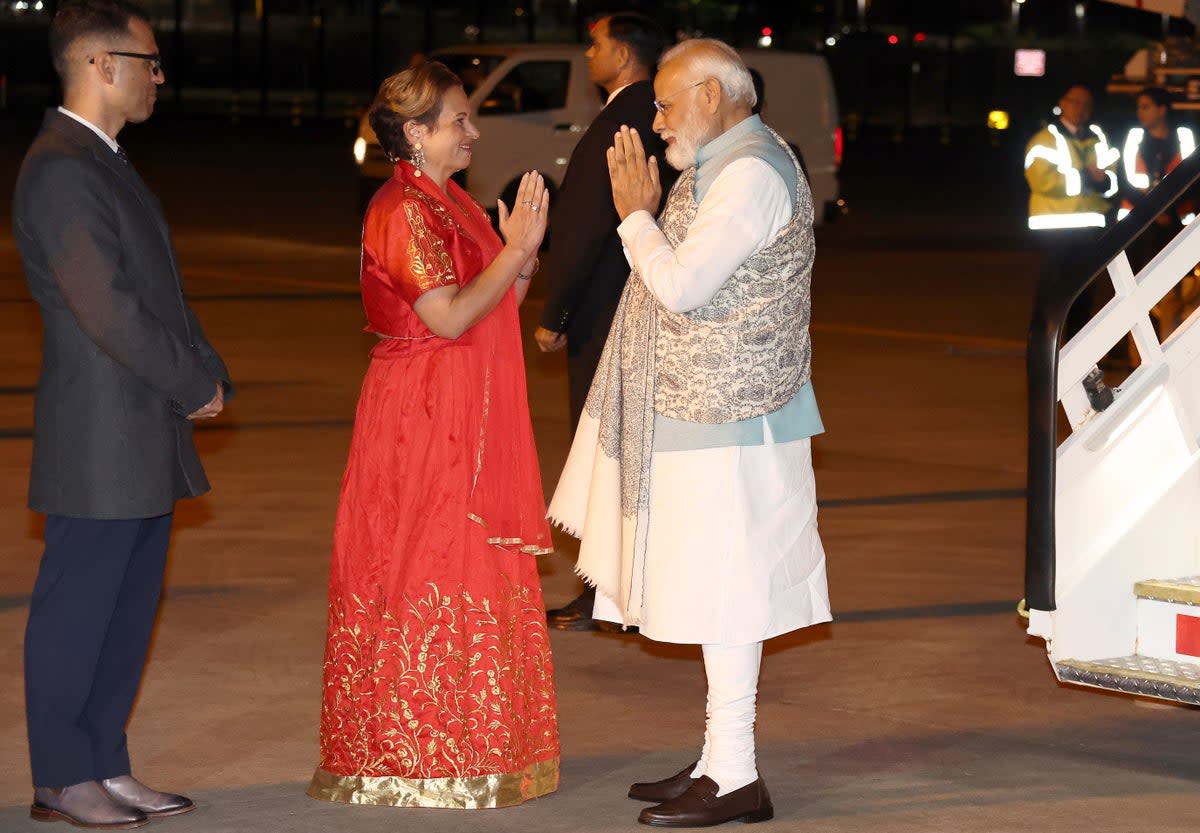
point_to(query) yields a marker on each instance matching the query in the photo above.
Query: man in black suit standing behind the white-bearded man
(586, 271)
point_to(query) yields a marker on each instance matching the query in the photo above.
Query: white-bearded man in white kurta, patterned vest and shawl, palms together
(691, 478)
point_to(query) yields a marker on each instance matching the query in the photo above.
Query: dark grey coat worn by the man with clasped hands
(124, 358)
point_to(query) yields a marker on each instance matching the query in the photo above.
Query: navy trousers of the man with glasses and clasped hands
(89, 628)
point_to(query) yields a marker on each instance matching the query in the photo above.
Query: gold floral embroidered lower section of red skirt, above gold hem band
(442, 686)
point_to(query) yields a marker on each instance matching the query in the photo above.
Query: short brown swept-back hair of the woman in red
(412, 95)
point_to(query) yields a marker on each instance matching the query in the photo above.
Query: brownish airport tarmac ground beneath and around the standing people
(922, 709)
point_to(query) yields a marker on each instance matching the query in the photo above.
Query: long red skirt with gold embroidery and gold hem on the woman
(439, 684)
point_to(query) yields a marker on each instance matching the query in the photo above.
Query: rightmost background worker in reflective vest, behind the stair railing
(1151, 152)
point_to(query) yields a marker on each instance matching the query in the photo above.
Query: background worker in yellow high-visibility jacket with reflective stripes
(1071, 170)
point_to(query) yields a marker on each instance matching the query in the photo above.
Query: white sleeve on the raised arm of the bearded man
(743, 212)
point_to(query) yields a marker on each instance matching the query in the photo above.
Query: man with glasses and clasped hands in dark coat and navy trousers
(125, 370)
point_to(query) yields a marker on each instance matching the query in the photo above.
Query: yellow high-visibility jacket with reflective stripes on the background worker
(1061, 193)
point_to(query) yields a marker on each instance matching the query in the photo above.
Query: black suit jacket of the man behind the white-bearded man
(586, 269)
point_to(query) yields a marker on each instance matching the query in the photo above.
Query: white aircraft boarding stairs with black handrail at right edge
(1113, 571)
